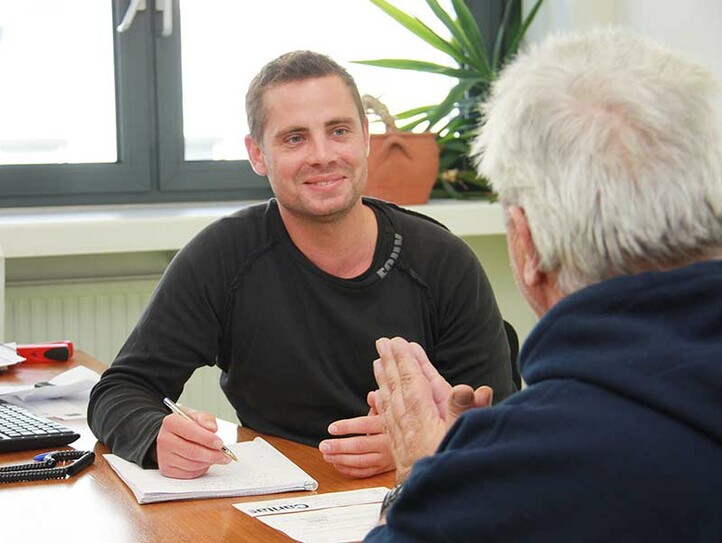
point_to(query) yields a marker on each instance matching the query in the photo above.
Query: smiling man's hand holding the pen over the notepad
(186, 450)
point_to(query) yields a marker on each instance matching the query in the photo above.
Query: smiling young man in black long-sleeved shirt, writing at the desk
(288, 297)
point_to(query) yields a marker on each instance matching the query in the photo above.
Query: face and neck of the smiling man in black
(313, 149)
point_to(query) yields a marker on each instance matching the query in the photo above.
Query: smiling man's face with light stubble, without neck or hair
(314, 147)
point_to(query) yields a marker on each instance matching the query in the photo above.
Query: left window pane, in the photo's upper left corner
(57, 97)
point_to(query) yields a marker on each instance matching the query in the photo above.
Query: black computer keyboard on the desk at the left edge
(21, 430)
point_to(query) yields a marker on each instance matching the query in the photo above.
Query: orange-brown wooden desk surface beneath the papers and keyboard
(96, 506)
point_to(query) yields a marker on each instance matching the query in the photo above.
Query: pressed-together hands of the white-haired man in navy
(416, 405)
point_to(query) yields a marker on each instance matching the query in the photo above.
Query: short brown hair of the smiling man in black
(293, 66)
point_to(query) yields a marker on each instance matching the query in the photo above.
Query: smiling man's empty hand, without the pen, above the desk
(365, 452)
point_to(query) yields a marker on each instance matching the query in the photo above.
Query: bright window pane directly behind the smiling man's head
(226, 42)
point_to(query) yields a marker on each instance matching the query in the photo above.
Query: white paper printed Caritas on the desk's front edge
(335, 517)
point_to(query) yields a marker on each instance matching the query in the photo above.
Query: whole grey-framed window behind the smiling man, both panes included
(92, 115)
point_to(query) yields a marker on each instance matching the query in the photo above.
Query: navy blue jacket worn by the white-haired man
(618, 436)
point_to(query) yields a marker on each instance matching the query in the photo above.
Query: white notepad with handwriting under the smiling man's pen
(261, 469)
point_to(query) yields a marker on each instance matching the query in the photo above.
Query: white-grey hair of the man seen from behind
(611, 145)
